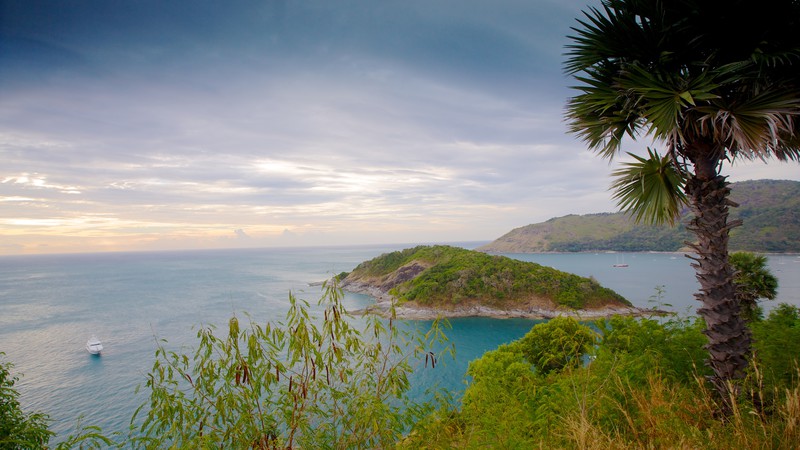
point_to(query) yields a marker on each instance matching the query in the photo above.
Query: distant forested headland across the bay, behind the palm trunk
(770, 210)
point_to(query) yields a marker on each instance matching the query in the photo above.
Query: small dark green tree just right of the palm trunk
(753, 281)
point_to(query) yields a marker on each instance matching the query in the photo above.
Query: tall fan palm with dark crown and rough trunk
(712, 81)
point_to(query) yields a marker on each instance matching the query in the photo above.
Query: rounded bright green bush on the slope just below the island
(557, 344)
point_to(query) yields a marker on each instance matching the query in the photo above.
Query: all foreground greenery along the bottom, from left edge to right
(640, 388)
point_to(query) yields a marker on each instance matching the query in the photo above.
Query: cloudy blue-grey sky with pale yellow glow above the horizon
(187, 124)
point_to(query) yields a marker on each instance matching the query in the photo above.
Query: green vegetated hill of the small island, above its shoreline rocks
(444, 275)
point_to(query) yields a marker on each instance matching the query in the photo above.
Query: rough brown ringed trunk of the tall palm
(728, 336)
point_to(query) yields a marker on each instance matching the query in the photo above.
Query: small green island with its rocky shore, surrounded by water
(427, 282)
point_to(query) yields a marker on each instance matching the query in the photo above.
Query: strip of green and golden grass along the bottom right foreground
(659, 414)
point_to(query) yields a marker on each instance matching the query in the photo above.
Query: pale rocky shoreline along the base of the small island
(412, 311)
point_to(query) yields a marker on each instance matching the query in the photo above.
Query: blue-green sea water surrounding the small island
(51, 304)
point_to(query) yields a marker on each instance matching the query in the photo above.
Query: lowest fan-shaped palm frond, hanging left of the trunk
(650, 189)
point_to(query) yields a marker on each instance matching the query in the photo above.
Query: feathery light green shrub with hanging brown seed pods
(304, 383)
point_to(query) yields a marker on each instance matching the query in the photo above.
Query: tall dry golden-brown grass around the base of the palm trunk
(663, 415)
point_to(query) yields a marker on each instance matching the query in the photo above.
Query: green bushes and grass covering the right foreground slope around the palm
(642, 387)
